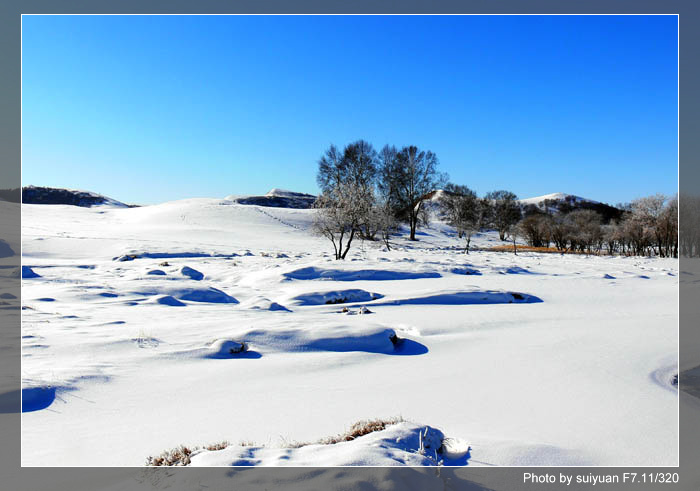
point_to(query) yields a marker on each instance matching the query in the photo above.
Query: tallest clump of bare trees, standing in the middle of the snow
(366, 194)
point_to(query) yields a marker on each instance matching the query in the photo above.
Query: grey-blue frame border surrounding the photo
(362, 478)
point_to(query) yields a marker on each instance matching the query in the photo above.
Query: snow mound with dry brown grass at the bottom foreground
(401, 444)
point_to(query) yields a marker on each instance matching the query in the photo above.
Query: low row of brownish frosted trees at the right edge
(646, 226)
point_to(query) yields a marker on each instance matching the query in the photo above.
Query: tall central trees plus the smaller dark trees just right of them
(367, 194)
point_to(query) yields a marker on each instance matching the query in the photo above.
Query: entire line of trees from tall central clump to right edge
(367, 194)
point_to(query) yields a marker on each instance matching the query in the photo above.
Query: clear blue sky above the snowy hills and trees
(147, 109)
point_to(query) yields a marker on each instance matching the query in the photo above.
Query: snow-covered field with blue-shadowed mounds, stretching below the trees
(537, 359)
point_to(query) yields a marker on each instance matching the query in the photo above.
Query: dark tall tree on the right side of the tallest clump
(408, 175)
